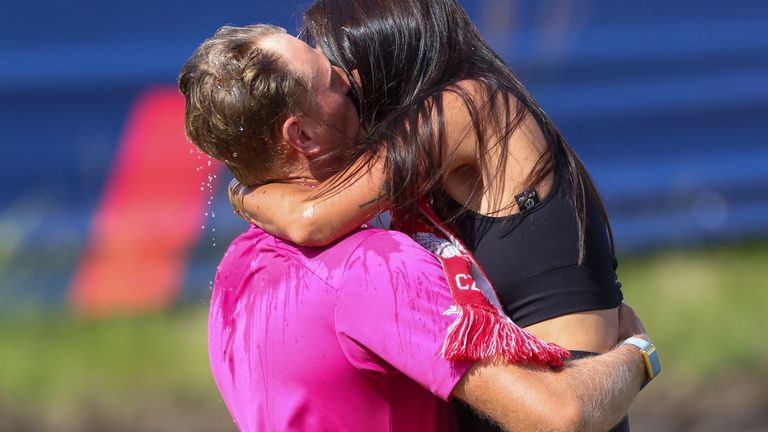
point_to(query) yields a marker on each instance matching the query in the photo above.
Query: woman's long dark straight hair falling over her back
(409, 54)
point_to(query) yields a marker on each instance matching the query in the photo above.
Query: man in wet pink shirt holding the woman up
(345, 337)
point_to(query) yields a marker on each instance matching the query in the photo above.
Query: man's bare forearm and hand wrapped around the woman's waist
(585, 395)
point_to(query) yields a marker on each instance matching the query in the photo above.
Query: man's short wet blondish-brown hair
(238, 94)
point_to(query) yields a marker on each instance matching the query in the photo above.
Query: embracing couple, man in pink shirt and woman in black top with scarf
(502, 253)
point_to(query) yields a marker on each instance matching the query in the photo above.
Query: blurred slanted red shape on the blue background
(150, 215)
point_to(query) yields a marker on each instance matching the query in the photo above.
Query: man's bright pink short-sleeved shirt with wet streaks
(342, 338)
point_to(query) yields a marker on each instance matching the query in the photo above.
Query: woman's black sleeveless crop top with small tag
(532, 259)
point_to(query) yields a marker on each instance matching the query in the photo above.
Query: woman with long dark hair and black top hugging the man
(443, 115)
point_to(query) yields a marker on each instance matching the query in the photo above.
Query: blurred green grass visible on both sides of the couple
(706, 310)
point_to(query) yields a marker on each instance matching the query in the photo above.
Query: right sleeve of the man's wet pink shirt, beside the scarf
(389, 316)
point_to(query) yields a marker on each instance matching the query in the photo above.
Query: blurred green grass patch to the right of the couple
(707, 309)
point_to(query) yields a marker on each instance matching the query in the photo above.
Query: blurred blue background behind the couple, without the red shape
(665, 101)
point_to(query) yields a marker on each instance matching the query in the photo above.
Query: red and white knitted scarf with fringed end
(482, 331)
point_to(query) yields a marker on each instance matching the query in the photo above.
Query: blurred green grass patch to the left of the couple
(60, 361)
